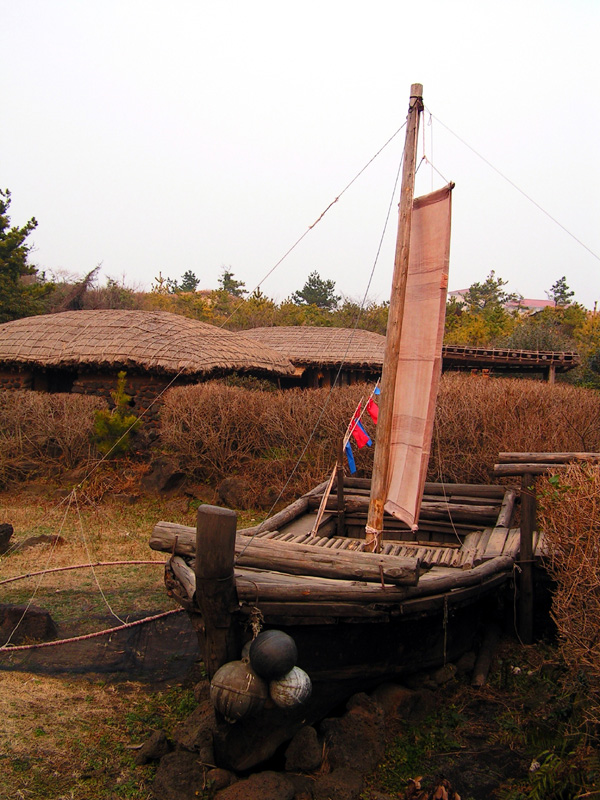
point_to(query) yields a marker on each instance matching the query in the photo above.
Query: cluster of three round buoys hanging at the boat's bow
(267, 668)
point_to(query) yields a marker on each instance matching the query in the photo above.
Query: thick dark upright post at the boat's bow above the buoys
(215, 584)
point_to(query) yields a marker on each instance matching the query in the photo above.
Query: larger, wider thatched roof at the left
(154, 341)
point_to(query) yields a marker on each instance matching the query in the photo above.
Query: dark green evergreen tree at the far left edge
(22, 289)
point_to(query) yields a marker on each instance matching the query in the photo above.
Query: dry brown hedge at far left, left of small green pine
(48, 429)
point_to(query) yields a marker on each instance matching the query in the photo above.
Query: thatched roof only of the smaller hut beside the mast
(305, 345)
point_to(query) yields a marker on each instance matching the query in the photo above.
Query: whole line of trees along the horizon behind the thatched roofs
(486, 315)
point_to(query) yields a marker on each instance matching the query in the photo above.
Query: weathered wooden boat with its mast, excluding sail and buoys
(361, 609)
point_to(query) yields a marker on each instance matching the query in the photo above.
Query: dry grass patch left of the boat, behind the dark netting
(91, 532)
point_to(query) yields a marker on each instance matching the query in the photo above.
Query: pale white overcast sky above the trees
(161, 137)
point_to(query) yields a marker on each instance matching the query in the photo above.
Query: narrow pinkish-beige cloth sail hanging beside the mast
(420, 363)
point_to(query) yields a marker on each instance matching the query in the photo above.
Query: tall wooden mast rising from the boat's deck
(379, 483)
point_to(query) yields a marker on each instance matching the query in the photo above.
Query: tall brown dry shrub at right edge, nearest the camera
(569, 515)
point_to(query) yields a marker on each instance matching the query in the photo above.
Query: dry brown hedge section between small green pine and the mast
(220, 430)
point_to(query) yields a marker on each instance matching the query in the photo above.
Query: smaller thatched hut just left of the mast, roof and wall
(317, 353)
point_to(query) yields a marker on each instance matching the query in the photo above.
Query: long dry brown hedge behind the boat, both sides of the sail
(220, 430)
